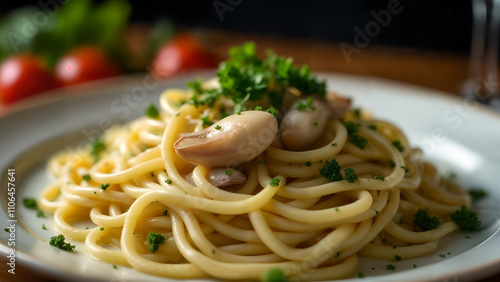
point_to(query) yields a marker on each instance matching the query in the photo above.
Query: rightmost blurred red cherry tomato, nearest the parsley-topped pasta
(182, 53)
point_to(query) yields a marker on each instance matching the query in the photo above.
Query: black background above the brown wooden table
(423, 24)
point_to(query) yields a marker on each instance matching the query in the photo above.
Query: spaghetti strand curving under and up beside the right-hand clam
(314, 155)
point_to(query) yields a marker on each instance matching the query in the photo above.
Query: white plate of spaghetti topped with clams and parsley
(260, 170)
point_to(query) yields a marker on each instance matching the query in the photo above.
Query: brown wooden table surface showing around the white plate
(441, 71)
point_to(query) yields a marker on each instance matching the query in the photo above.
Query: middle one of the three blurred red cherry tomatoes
(84, 64)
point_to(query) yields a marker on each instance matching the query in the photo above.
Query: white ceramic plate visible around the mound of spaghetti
(459, 136)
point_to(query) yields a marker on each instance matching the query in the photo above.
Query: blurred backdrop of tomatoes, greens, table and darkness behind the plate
(62, 43)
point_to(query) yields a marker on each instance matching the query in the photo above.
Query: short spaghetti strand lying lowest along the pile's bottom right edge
(390, 253)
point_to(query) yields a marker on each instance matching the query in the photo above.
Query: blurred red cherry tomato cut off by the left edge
(22, 76)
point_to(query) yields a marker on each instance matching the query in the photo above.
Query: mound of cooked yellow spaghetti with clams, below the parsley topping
(189, 193)
